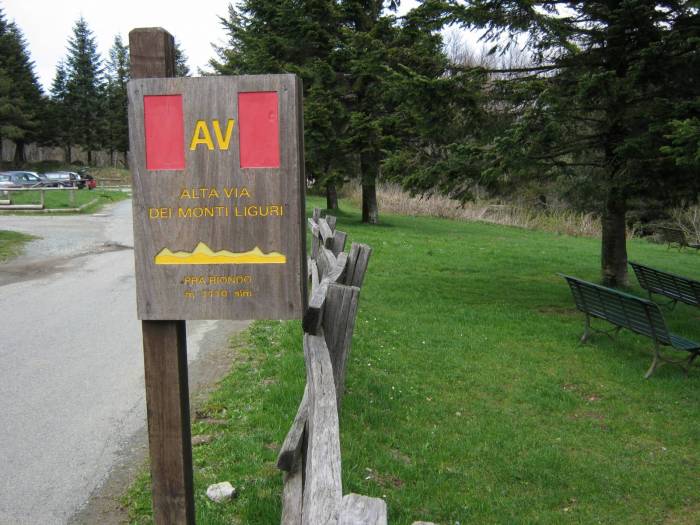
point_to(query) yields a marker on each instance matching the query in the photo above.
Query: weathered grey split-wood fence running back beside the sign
(310, 454)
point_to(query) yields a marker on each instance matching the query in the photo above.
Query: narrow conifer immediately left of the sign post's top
(117, 76)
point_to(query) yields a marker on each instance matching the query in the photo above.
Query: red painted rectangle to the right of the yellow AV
(258, 124)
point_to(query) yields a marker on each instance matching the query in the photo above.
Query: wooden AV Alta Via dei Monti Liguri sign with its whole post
(218, 200)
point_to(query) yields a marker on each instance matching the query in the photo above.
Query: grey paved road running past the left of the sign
(71, 365)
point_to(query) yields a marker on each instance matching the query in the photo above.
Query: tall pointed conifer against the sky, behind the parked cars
(84, 100)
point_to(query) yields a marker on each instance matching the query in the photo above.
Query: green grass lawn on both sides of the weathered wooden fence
(468, 396)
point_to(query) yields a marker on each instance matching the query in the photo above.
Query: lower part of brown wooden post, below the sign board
(169, 437)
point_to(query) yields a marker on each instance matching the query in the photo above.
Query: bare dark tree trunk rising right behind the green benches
(614, 246)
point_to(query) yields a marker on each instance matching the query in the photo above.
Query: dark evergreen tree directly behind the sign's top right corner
(269, 36)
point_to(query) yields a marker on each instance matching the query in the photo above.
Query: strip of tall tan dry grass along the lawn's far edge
(392, 199)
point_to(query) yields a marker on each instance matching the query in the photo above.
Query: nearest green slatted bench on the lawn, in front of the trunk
(633, 313)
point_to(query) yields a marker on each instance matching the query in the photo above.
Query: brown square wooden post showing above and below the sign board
(165, 348)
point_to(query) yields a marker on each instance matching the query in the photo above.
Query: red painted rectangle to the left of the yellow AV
(165, 132)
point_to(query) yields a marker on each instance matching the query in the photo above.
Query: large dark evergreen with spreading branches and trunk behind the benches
(610, 89)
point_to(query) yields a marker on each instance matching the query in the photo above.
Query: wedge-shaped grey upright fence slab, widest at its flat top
(340, 311)
